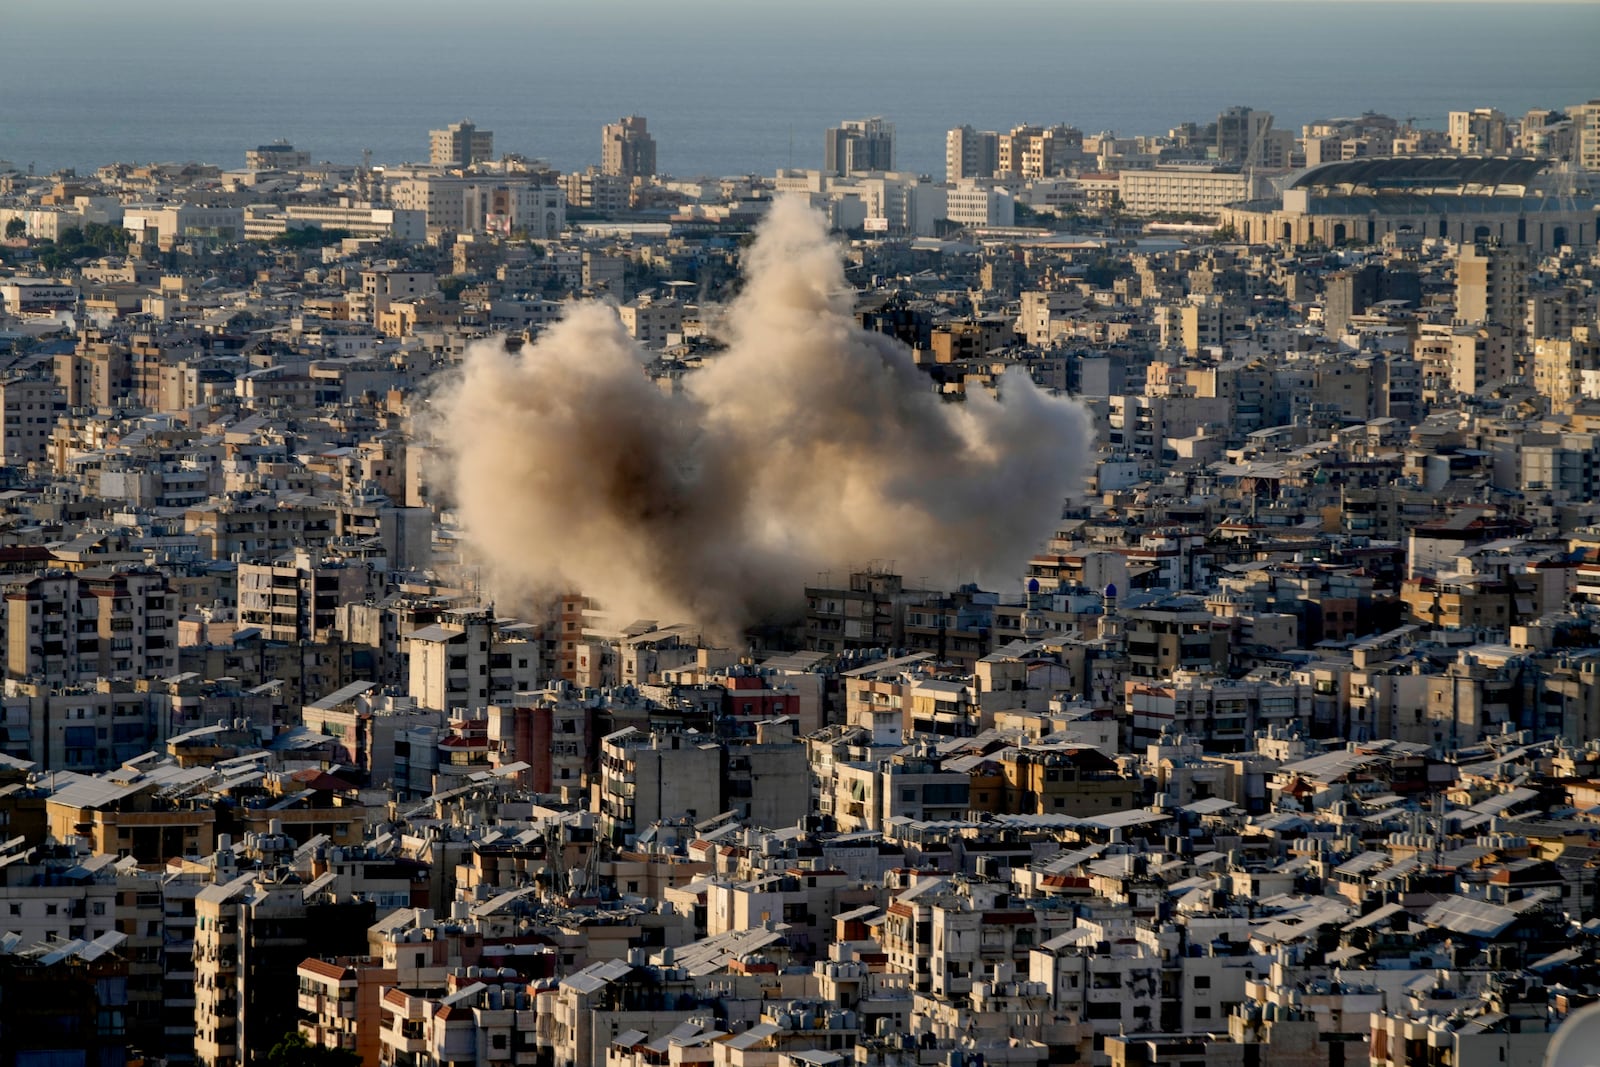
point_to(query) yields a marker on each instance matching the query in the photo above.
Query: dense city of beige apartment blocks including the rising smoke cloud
(1124, 601)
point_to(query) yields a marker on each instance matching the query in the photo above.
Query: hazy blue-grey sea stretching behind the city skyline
(738, 89)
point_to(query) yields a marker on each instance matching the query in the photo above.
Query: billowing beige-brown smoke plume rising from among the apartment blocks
(809, 446)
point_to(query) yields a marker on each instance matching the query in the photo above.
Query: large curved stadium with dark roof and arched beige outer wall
(1462, 199)
